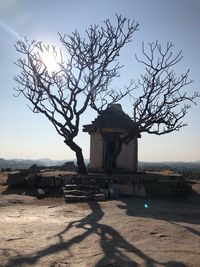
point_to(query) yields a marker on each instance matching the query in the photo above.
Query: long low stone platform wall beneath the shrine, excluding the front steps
(116, 184)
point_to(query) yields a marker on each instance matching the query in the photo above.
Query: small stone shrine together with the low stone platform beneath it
(113, 167)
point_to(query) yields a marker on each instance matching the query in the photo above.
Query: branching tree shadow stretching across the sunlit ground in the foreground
(114, 246)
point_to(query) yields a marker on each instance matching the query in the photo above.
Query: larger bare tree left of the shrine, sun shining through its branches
(83, 78)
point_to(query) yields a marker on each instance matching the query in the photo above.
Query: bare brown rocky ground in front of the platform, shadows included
(126, 232)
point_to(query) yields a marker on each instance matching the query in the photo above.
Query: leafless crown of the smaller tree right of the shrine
(163, 102)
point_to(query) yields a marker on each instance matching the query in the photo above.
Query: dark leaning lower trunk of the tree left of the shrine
(79, 156)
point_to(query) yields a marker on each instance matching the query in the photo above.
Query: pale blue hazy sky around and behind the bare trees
(24, 134)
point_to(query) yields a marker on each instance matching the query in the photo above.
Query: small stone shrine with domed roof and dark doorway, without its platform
(107, 151)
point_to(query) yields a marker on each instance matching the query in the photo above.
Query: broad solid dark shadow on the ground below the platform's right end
(176, 211)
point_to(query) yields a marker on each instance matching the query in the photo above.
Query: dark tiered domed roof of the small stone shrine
(112, 117)
